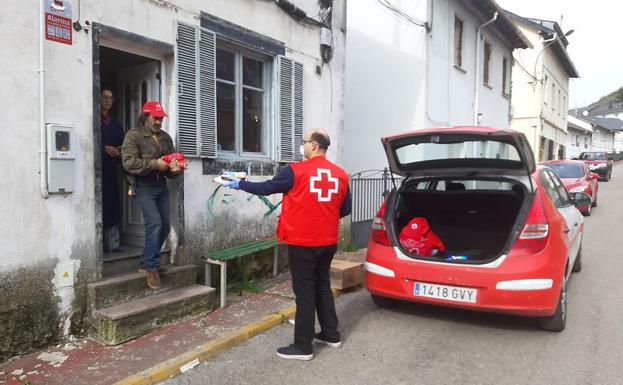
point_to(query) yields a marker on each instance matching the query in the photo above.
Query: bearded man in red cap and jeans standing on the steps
(142, 151)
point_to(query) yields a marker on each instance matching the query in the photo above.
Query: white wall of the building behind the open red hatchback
(399, 77)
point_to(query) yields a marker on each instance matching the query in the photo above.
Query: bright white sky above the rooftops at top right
(593, 46)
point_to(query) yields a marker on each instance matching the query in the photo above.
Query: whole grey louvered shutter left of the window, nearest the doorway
(196, 94)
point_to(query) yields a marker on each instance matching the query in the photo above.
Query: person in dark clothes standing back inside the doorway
(112, 138)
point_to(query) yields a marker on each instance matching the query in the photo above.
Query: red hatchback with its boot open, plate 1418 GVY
(511, 232)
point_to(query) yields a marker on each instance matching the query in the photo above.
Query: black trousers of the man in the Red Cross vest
(310, 267)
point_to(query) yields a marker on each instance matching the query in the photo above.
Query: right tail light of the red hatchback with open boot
(535, 233)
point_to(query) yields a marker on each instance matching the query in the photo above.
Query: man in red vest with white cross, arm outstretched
(316, 196)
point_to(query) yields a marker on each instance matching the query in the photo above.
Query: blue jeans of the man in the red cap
(153, 200)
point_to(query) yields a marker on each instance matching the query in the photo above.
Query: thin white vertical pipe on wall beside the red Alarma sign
(43, 152)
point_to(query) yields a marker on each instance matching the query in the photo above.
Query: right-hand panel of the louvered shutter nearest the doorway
(207, 90)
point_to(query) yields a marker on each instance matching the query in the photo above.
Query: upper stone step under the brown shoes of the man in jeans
(127, 287)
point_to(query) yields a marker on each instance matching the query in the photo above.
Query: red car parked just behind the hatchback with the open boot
(576, 177)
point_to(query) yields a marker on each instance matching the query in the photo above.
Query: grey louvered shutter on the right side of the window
(290, 74)
